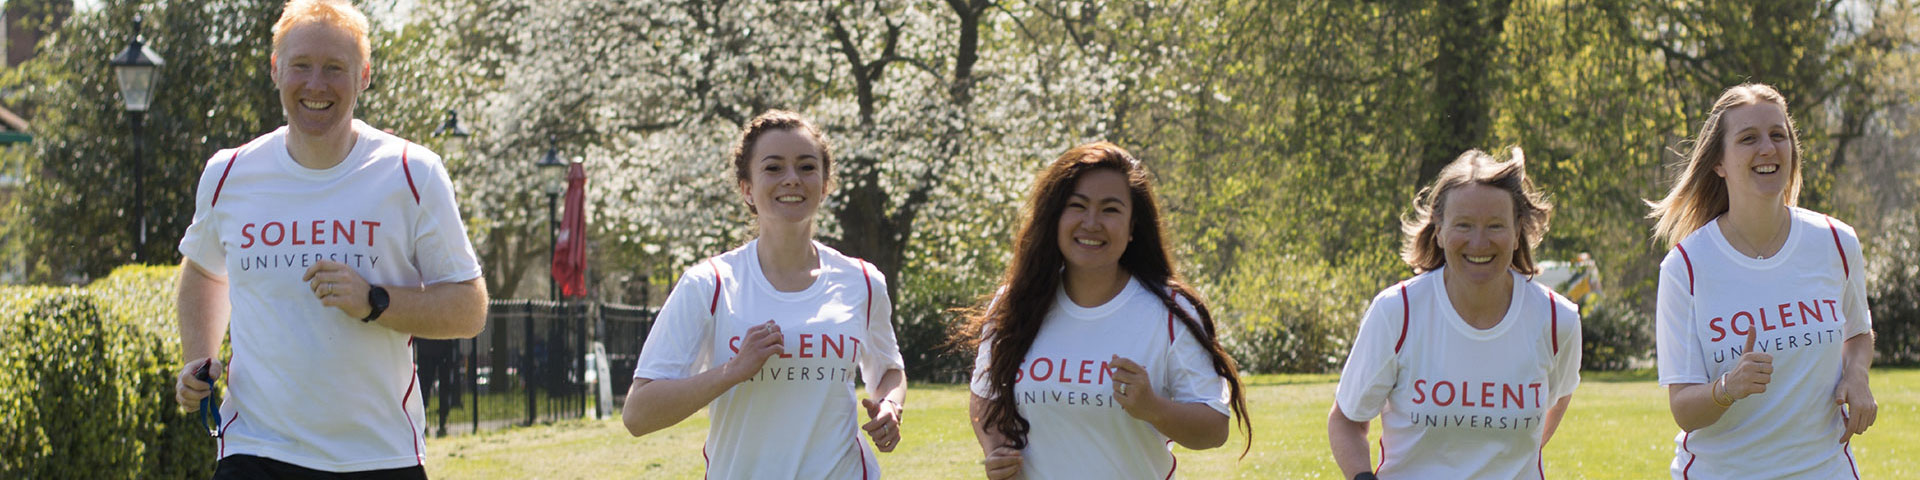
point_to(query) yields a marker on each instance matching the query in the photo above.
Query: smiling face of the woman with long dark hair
(1097, 222)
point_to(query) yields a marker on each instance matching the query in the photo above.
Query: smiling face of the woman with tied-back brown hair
(786, 178)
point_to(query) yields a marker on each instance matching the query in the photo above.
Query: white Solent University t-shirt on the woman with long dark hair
(1065, 391)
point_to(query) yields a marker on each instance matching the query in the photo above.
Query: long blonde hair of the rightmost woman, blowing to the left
(1698, 197)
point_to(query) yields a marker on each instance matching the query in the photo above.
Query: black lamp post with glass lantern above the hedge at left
(137, 68)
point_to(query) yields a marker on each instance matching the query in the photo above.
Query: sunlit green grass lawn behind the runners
(1616, 429)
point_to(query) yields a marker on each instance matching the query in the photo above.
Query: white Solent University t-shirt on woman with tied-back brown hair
(800, 416)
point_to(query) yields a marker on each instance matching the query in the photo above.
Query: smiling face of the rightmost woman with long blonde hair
(1758, 153)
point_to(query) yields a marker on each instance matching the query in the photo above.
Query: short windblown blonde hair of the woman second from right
(1531, 210)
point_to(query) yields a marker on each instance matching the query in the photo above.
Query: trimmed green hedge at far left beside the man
(87, 383)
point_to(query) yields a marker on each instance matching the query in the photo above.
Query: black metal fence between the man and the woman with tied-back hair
(533, 364)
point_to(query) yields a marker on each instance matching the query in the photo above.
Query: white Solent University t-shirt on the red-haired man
(310, 385)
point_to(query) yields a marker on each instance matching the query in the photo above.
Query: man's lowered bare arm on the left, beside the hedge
(203, 308)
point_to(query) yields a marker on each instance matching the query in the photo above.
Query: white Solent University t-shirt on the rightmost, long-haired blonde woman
(1806, 300)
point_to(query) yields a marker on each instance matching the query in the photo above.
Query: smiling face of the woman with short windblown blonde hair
(1477, 233)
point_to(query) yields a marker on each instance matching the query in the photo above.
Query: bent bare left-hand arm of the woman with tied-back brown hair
(661, 404)
